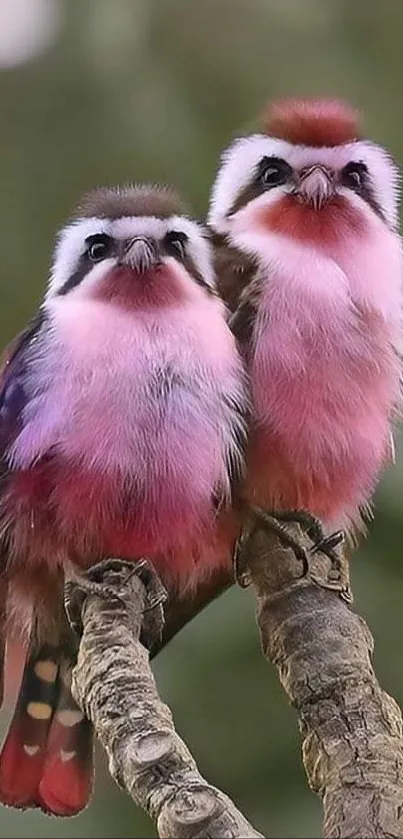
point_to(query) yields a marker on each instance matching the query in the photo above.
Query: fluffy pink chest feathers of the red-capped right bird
(325, 383)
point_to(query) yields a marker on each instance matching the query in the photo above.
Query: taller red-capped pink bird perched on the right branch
(303, 215)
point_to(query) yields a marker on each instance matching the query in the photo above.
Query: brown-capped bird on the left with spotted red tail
(123, 422)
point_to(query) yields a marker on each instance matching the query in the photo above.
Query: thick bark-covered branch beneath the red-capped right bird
(351, 729)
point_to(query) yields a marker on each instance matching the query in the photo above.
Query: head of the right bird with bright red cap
(308, 175)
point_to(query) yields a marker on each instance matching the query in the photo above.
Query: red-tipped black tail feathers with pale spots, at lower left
(46, 759)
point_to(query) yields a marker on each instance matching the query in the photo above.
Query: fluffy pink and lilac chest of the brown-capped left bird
(132, 425)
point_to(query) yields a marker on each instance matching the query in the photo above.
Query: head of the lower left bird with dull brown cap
(134, 247)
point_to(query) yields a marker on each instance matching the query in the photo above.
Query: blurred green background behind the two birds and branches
(106, 91)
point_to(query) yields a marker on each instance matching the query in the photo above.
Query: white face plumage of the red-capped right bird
(243, 164)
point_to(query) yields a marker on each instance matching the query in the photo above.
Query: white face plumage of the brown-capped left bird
(74, 259)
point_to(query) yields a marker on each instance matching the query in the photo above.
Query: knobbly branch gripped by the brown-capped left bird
(114, 685)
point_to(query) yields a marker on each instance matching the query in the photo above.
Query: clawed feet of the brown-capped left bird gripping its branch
(109, 579)
